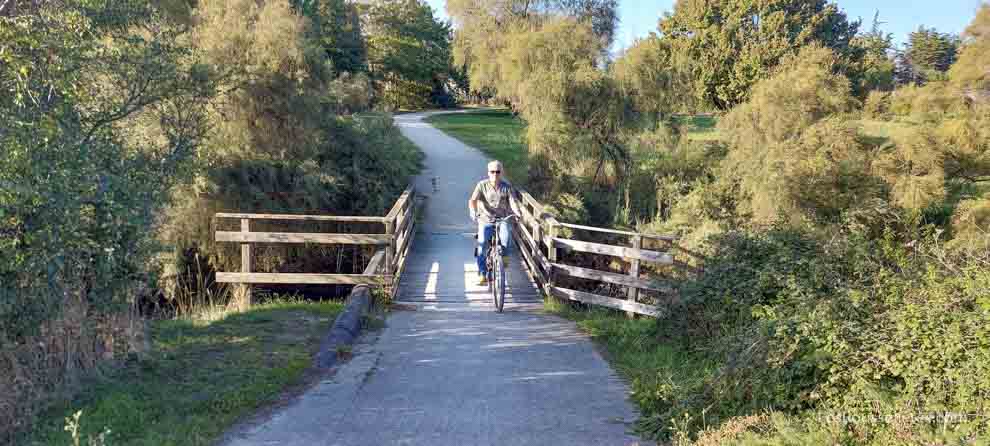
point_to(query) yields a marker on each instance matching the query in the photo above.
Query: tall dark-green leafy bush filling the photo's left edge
(79, 196)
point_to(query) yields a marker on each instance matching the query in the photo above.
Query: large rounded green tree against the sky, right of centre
(735, 43)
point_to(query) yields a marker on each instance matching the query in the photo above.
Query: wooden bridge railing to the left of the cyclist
(383, 269)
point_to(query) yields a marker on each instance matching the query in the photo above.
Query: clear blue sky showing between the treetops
(639, 17)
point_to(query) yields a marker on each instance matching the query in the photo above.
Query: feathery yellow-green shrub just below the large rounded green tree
(789, 154)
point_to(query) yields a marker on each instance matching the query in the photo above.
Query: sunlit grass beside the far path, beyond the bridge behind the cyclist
(496, 132)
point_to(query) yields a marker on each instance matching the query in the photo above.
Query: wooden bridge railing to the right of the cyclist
(539, 236)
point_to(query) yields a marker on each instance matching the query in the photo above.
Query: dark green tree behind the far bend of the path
(408, 52)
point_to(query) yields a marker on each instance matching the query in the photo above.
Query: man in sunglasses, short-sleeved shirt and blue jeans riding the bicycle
(491, 201)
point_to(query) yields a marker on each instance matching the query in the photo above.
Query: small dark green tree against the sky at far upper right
(927, 55)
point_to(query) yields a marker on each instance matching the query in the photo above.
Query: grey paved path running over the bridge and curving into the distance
(454, 372)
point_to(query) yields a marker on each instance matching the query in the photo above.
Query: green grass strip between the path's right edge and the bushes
(656, 373)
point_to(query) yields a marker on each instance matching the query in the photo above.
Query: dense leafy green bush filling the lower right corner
(850, 328)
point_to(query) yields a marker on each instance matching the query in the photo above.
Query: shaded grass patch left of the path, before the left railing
(198, 379)
